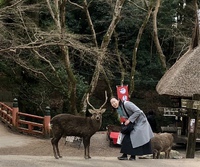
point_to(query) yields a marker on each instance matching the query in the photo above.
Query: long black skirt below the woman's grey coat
(127, 148)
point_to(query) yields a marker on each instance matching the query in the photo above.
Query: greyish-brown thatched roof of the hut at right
(183, 78)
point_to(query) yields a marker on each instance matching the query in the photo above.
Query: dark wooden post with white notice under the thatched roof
(192, 127)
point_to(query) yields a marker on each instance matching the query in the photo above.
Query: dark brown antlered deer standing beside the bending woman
(63, 125)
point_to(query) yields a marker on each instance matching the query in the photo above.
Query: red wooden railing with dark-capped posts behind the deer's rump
(25, 123)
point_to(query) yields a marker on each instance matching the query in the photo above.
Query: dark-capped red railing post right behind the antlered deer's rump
(47, 119)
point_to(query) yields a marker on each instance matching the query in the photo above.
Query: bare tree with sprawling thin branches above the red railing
(38, 43)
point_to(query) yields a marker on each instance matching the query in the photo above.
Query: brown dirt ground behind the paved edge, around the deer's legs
(18, 144)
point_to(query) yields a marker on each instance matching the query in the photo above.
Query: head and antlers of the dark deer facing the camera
(97, 113)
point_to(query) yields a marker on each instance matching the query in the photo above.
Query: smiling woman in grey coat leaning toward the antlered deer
(138, 141)
